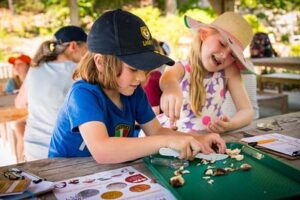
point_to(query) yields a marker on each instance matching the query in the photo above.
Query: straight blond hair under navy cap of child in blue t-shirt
(87, 70)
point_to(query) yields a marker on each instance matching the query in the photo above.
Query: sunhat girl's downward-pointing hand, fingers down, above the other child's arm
(171, 102)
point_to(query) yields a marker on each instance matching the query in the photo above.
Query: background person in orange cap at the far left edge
(20, 65)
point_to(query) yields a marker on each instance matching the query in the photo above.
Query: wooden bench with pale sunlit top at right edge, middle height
(279, 79)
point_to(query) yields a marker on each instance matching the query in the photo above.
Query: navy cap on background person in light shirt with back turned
(70, 33)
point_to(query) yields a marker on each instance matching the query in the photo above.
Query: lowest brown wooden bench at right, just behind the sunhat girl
(273, 99)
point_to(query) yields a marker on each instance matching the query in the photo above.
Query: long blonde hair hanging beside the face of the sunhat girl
(198, 72)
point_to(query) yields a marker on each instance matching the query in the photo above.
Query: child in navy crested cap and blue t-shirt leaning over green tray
(100, 110)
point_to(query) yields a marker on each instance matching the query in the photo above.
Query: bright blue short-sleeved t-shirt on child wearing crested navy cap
(87, 102)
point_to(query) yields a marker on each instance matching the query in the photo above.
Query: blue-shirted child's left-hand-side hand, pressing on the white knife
(187, 145)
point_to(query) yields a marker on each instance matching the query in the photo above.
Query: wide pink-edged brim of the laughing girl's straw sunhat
(233, 44)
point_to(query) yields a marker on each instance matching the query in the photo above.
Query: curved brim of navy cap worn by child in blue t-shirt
(146, 61)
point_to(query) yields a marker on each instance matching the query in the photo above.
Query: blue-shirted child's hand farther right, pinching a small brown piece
(211, 140)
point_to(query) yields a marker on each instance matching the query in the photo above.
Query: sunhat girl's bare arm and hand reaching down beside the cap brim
(171, 99)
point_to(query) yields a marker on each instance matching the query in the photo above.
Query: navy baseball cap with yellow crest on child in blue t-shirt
(126, 36)
